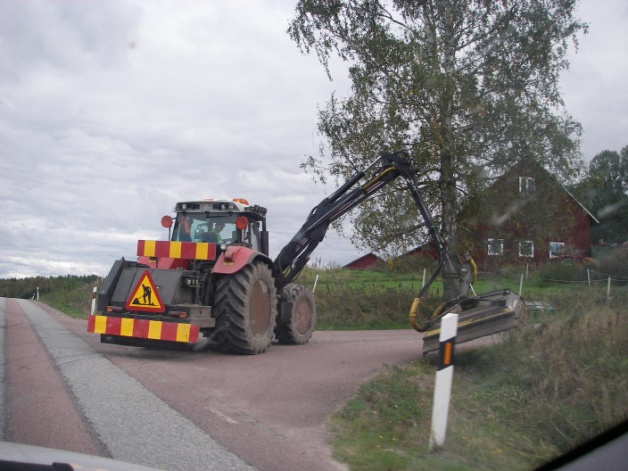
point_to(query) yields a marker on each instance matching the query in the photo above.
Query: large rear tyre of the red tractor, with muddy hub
(246, 311)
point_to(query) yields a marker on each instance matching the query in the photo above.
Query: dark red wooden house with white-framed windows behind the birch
(526, 216)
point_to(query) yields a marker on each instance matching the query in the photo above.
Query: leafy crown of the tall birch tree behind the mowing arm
(466, 87)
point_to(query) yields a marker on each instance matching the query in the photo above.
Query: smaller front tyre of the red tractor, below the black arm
(297, 315)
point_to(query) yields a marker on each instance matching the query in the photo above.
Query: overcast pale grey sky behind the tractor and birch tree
(113, 110)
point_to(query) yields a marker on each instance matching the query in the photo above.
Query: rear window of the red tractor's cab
(204, 227)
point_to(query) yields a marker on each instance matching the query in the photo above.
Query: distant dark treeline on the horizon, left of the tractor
(26, 288)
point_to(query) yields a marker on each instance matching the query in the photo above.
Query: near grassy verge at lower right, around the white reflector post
(515, 404)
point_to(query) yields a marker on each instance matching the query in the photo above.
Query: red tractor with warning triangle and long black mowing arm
(214, 276)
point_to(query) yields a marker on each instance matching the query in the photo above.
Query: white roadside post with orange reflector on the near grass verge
(444, 378)
